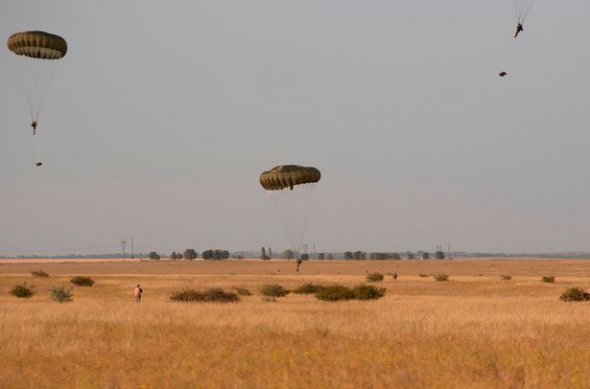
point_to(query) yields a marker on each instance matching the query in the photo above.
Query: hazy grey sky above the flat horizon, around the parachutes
(162, 115)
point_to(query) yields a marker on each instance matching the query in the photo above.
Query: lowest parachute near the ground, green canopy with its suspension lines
(291, 187)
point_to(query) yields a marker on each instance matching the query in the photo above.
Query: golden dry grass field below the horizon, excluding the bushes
(474, 331)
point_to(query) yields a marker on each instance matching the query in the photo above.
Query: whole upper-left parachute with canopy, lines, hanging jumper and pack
(40, 53)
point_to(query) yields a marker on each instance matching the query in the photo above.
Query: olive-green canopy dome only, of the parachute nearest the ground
(288, 176)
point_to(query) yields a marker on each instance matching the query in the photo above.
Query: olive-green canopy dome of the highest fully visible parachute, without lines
(38, 44)
